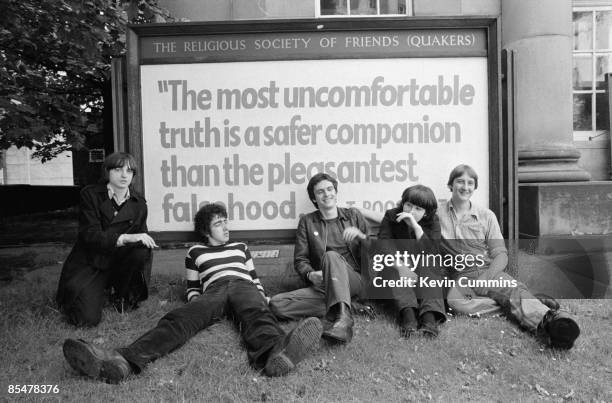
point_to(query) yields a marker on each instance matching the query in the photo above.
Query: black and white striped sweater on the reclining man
(205, 264)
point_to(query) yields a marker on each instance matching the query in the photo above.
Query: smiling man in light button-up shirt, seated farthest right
(469, 229)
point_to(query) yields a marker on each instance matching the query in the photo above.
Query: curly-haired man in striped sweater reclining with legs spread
(221, 282)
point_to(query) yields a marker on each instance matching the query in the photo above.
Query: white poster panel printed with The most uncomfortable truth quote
(251, 134)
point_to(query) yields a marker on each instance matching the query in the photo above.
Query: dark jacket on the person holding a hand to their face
(391, 229)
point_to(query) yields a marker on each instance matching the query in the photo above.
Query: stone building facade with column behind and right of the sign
(557, 54)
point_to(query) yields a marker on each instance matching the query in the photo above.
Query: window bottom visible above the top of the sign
(348, 8)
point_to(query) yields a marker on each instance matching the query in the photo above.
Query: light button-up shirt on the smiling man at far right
(476, 233)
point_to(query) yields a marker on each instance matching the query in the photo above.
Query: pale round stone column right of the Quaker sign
(540, 35)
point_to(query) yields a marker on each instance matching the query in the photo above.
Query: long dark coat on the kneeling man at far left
(99, 229)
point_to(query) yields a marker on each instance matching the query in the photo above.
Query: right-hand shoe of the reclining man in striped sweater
(297, 345)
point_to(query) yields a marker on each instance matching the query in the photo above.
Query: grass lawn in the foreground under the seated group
(486, 359)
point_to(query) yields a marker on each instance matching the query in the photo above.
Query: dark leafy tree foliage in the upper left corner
(55, 59)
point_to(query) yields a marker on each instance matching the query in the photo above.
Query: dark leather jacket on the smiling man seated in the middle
(310, 245)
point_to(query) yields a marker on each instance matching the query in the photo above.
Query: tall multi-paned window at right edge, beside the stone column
(592, 60)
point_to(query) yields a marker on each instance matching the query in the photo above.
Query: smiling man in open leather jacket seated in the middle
(327, 255)
